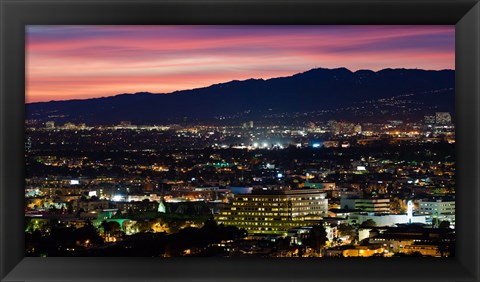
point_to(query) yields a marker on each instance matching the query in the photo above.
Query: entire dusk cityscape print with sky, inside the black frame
(319, 162)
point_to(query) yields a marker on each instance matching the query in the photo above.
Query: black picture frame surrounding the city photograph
(15, 14)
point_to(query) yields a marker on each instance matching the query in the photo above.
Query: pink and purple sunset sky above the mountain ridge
(78, 62)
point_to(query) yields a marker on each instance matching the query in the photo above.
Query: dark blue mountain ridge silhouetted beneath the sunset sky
(314, 90)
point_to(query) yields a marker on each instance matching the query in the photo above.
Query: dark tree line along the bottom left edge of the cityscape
(86, 242)
